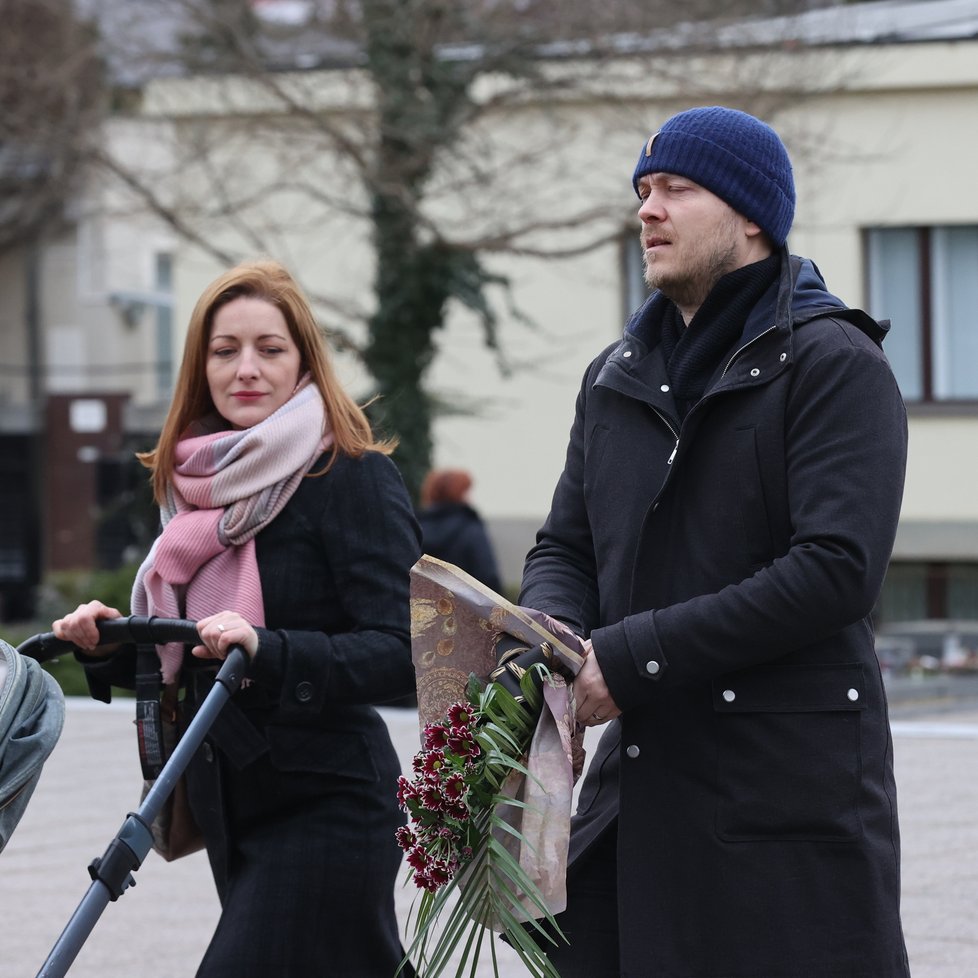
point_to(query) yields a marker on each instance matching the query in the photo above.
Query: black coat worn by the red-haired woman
(295, 787)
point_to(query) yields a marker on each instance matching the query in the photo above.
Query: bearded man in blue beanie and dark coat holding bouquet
(720, 532)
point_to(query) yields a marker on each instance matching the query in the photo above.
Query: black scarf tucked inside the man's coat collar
(692, 353)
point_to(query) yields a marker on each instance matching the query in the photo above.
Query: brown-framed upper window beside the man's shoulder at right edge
(925, 279)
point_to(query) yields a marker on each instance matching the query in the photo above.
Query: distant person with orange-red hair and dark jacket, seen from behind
(451, 528)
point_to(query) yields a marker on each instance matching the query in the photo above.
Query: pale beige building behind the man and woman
(878, 104)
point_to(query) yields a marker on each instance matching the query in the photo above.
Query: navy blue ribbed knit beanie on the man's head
(735, 156)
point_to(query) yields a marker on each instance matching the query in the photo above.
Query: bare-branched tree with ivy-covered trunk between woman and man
(418, 79)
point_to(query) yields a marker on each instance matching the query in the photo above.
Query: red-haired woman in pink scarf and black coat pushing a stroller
(286, 530)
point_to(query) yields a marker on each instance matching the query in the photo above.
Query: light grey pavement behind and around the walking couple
(160, 927)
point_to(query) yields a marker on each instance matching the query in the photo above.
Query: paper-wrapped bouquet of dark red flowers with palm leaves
(490, 797)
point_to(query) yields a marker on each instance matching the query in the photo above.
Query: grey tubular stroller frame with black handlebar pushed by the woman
(112, 872)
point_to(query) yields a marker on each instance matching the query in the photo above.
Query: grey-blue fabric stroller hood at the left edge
(32, 714)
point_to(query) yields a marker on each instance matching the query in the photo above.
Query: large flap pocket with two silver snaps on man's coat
(789, 764)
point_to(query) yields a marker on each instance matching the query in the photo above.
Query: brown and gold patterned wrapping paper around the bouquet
(455, 624)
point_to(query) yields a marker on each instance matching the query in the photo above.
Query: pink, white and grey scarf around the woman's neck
(226, 486)
